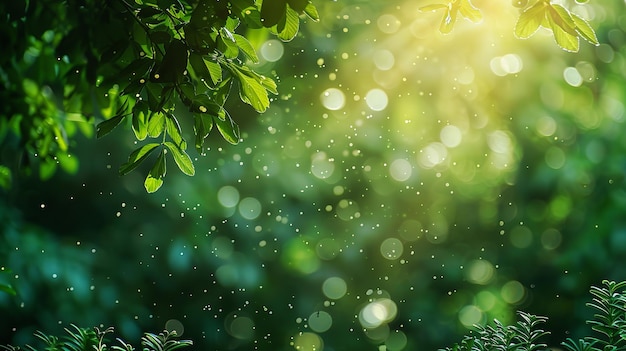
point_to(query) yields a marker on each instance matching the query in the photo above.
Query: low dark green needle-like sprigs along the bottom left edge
(93, 339)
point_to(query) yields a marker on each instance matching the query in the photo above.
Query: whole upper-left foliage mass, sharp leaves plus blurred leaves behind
(142, 59)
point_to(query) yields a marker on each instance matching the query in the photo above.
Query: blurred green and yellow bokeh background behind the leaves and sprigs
(403, 186)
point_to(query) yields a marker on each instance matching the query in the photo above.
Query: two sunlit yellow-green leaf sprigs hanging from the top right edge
(566, 26)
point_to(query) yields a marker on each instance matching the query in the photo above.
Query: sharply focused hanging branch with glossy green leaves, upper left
(193, 54)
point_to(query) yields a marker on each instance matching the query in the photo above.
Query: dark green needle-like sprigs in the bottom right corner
(609, 303)
